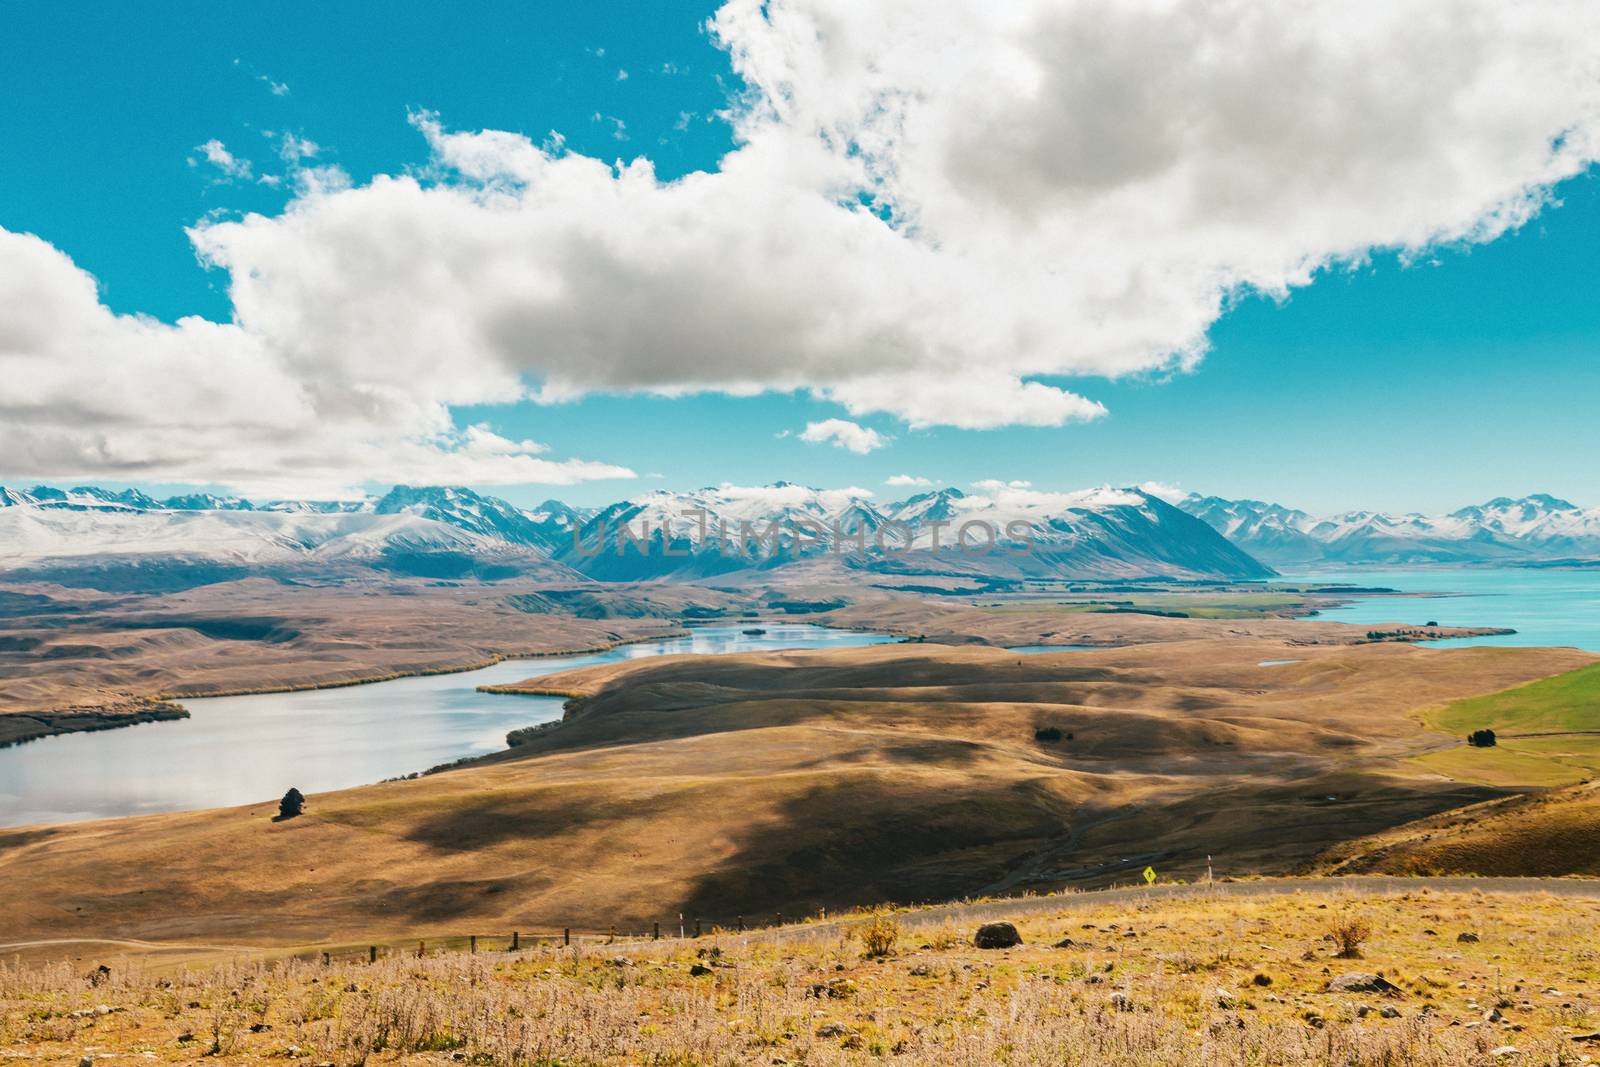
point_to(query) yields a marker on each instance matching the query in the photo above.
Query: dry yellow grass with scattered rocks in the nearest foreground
(1217, 981)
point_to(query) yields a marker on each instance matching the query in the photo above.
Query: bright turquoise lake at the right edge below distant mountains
(1543, 607)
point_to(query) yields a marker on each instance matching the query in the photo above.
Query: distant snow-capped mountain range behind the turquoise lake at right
(1535, 529)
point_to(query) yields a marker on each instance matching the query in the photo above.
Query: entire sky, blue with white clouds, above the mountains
(594, 250)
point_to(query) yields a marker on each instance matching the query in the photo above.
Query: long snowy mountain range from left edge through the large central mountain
(1094, 533)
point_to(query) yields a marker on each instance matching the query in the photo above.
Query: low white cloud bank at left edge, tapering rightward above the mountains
(87, 393)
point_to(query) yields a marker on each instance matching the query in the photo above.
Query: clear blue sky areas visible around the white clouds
(1420, 386)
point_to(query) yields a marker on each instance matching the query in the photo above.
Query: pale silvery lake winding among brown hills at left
(247, 749)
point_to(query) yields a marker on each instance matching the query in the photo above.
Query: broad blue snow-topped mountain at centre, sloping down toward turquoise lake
(1094, 533)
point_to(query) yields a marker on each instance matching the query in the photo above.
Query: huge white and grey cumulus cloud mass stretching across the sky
(882, 236)
